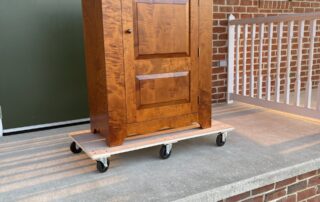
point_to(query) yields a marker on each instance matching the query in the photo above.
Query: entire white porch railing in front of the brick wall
(252, 90)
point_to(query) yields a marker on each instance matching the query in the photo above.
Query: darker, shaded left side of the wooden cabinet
(95, 65)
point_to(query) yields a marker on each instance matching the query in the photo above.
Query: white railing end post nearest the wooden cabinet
(231, 35)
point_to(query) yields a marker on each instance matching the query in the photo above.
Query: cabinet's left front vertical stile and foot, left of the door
(113, 43)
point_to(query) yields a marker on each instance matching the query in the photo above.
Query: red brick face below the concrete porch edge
(304, 187)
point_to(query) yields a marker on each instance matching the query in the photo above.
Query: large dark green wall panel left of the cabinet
(42, 71)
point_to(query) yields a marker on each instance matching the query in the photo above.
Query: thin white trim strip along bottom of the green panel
(11, 130)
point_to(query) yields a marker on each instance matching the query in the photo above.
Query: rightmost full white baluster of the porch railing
(313, 25)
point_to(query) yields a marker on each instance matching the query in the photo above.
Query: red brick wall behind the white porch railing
(256, 8)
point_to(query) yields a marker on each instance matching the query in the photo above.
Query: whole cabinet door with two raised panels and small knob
(161, 58)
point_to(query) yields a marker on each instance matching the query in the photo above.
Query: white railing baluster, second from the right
(298, 76)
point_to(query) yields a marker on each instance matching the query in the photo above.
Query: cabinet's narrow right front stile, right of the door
(205, 45)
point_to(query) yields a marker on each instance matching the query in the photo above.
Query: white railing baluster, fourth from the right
(280, 33)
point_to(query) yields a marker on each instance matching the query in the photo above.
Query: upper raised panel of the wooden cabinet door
(162, 29)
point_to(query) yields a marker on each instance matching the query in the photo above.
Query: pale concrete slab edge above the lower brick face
(242, 186)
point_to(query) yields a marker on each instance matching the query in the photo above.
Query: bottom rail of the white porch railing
(302, 111)
